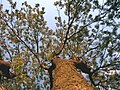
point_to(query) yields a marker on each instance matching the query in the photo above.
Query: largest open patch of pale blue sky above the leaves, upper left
(50, 9)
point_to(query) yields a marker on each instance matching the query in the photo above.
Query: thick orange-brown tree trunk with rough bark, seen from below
(66, 76)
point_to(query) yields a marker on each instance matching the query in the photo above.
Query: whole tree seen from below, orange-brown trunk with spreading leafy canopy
(84, 42)
